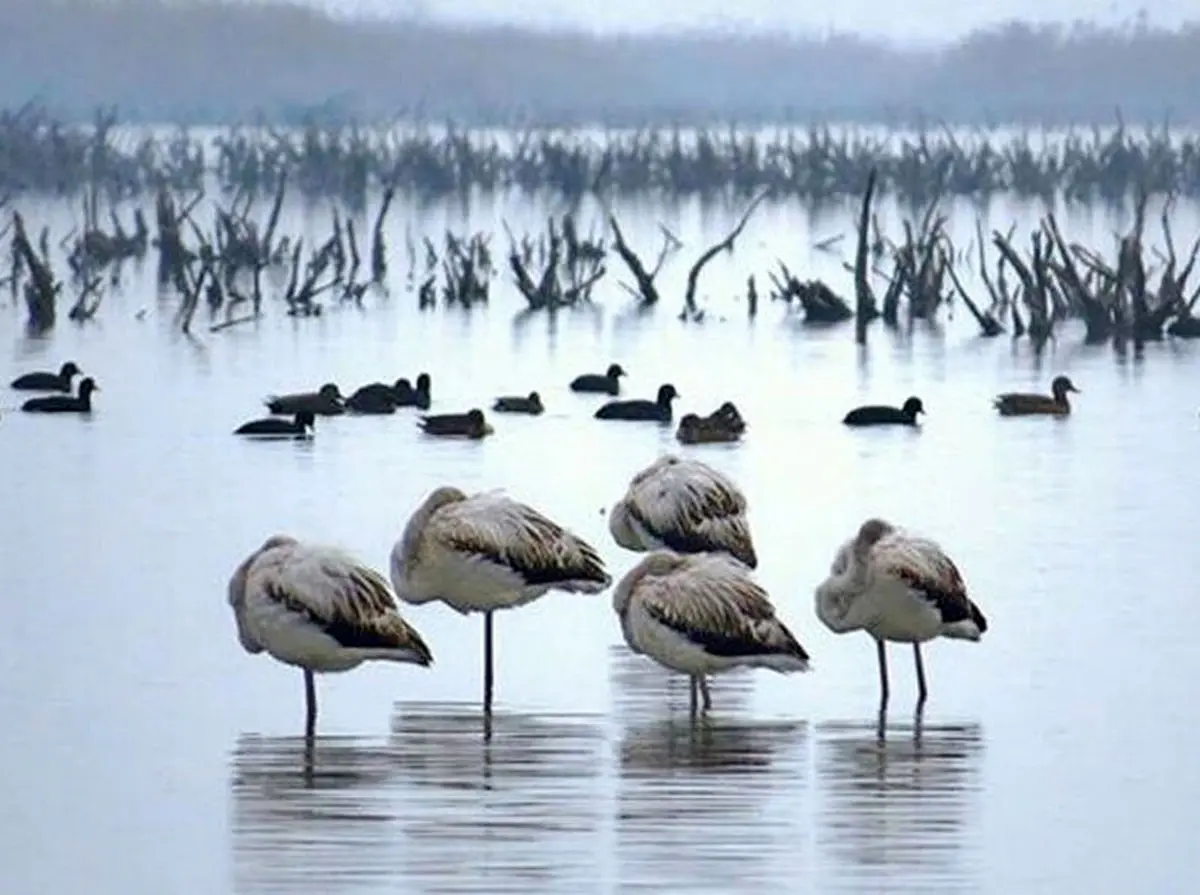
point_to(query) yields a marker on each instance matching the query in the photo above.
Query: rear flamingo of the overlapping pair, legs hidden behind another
(683, 506)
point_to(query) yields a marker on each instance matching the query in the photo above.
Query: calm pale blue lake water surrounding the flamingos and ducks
(143, 752)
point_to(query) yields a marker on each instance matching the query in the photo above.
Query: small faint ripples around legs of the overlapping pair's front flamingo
(643, 689)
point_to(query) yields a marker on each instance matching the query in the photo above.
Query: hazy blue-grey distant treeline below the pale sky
(209, 62)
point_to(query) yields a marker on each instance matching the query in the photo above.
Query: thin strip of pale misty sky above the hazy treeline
(904, 21)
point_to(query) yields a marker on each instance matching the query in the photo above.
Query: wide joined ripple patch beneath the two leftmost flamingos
(436, 807)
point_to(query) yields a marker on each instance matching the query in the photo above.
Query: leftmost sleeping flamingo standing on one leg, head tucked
(321, 610)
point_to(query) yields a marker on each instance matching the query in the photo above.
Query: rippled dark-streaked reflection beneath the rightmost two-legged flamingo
(898, 803)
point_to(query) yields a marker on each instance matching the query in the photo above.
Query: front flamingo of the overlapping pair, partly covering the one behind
(700, 615)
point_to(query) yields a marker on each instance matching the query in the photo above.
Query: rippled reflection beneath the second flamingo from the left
(517, 813)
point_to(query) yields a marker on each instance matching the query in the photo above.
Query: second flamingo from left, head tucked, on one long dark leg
(489, 552)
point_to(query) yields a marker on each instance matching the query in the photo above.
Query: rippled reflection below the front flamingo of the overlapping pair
(710, 806)
